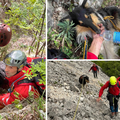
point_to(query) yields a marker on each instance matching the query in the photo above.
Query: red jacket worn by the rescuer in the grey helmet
(22, 89)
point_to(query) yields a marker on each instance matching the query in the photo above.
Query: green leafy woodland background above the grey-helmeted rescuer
(27, 19)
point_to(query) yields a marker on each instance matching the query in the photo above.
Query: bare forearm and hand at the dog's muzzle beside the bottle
(97, 42)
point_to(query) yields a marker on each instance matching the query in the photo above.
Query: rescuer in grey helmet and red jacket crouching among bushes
(15, 63)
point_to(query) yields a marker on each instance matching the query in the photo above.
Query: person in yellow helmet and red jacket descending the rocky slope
(113, 94)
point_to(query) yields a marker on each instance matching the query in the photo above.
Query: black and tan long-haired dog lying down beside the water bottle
(86, 21)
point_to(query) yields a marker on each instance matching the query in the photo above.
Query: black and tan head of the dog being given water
(86, 17)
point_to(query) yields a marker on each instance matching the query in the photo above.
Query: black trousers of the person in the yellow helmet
(113, 102)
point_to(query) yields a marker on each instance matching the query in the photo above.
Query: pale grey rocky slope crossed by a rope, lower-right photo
(64, 91)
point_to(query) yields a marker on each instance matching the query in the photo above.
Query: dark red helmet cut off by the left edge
(5, 34)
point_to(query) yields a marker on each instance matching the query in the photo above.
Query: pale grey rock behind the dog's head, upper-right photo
(57, 9)
